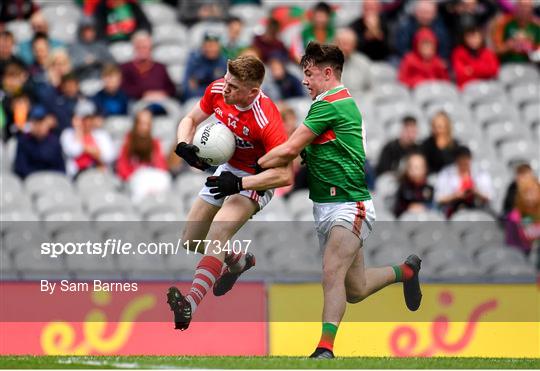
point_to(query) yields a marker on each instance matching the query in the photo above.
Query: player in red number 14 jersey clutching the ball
(238, 102)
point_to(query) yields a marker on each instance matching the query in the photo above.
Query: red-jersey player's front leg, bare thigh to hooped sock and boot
(235, 211)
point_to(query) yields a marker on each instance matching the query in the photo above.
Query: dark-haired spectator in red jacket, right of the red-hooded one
(472, 60)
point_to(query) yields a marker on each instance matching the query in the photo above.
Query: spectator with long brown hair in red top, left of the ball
(139, 148)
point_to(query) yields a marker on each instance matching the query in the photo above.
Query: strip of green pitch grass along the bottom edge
(264, 362)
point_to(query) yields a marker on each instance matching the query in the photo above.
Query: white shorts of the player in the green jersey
(346, 214)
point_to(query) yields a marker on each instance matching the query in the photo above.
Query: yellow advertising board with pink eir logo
(454, 320)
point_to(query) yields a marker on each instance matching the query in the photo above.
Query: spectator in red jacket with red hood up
(422, 63)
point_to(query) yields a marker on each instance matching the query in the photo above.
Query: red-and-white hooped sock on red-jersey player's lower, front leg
(207, 272)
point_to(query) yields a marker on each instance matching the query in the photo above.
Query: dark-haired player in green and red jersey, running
(334, 141)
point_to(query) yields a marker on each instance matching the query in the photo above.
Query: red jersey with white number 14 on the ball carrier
(257, 128)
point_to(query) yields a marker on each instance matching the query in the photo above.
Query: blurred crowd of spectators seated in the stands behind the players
(58, 128)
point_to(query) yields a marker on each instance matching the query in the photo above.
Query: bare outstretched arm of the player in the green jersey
(285, 153)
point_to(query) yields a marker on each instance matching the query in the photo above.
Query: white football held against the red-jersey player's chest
(216, 143)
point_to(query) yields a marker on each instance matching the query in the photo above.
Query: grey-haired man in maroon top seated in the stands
(143, 77)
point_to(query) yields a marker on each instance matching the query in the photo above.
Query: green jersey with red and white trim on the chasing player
(335, 159)
